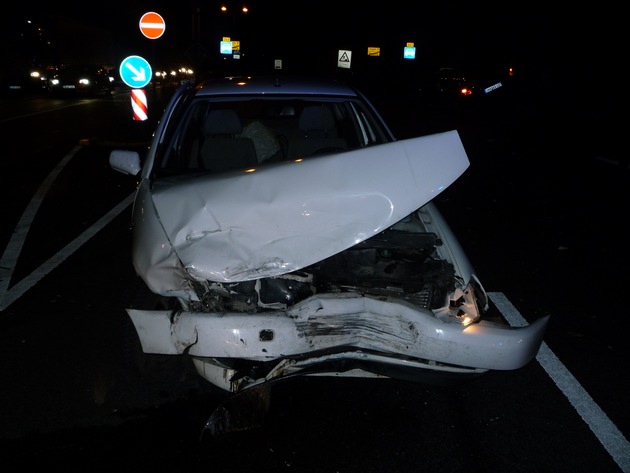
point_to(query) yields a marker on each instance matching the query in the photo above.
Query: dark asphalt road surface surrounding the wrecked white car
(540, 213)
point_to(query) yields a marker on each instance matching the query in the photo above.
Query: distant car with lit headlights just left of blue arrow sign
(88, 79)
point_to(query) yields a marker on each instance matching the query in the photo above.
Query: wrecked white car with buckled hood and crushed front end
(280, 230)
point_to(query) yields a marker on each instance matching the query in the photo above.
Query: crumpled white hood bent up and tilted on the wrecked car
(283, 217)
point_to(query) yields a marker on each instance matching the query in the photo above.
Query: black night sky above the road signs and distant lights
(580, 42)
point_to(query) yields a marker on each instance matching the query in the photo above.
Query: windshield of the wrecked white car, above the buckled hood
(229, 134)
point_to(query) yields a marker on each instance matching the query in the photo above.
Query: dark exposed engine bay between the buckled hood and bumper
(401, 262)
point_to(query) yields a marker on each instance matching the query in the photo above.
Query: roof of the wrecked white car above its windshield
(276, 85)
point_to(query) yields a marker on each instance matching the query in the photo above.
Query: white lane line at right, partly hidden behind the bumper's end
(606, 432)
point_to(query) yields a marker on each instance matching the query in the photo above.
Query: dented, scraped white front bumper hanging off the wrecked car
(360, 330)
